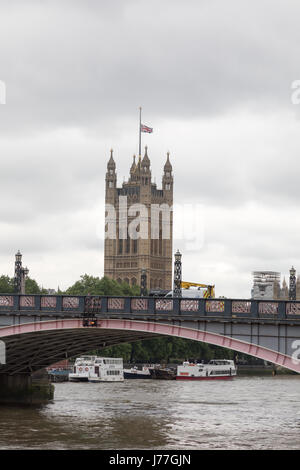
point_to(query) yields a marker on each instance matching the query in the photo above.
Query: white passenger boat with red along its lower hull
(215, 369)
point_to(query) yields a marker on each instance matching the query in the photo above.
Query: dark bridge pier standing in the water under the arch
(24, 389)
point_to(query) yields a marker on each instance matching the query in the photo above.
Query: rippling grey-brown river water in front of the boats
(245, 413)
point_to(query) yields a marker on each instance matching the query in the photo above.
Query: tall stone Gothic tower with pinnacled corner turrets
(141, 236)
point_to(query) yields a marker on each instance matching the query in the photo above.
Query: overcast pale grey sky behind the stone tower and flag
(215, 81)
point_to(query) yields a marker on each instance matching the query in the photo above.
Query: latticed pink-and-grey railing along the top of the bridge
(94, 305)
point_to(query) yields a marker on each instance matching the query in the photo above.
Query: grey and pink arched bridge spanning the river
(39, 330)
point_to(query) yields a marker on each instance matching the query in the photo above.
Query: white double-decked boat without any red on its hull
(97, 369)
